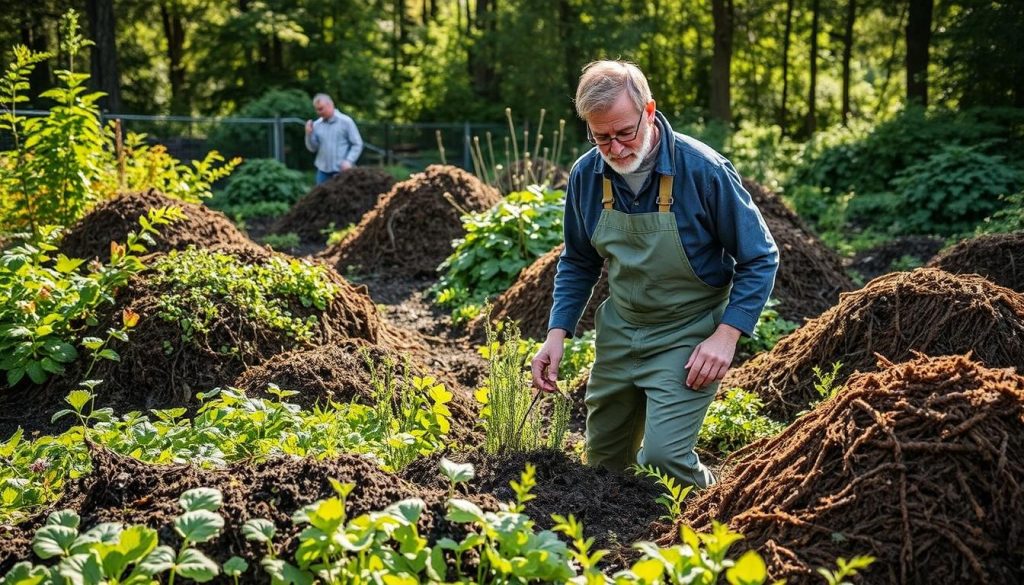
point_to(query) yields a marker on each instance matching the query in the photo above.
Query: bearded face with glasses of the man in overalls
(625, 153)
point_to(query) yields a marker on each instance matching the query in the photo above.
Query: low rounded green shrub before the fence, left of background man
(261, 187)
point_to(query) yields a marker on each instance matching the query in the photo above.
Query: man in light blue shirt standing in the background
(334, 138)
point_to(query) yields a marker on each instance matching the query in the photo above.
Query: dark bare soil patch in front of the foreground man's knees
(617, 510)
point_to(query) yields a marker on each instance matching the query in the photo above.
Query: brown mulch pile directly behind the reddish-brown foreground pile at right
(927, 311)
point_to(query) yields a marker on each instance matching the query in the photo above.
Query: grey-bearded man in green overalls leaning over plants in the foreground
(691, 267)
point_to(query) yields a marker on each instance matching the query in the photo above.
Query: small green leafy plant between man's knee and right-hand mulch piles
(735, 422)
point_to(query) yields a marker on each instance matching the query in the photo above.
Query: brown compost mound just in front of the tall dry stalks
(410, 231)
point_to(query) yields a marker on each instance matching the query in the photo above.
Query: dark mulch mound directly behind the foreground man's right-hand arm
(810, 276)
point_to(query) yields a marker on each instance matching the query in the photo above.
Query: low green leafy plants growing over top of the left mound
(194, 279)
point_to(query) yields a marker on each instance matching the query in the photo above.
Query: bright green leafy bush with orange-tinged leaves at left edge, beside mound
(47, 303)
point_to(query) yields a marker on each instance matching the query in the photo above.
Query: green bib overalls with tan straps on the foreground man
(658, 312)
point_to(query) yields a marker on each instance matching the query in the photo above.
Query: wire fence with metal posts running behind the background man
(412, 146)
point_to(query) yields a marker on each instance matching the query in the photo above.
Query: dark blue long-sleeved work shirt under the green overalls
(722, 232)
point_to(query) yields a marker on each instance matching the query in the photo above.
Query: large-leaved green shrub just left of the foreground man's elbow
(499, 244)
